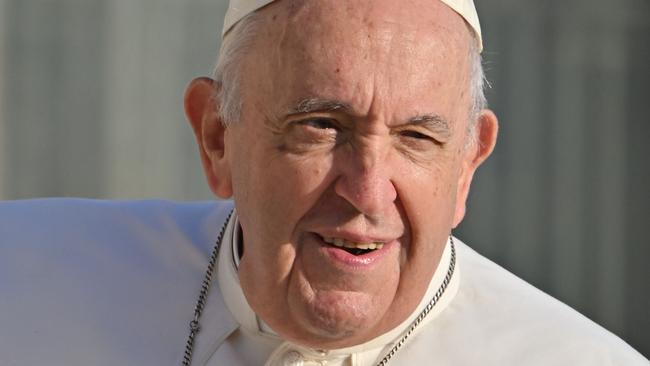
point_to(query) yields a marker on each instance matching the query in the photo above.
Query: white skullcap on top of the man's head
(238, 9)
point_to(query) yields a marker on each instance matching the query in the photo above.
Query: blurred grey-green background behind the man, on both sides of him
(91, 105)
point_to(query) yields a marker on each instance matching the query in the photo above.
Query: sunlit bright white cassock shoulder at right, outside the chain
(498, 319)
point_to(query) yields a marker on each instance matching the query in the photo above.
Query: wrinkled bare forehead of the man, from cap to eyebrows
(332, 48)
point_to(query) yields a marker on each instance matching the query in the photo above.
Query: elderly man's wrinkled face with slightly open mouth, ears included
(353, 133)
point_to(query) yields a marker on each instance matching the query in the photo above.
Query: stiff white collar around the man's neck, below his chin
(364, 354)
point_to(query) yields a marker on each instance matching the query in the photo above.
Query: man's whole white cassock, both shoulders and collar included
(86, 282)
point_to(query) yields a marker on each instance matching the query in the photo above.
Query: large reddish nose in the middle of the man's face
(365, 181)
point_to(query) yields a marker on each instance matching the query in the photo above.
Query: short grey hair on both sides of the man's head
(238, 40)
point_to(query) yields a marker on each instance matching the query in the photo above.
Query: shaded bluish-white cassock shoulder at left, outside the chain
(87, 282)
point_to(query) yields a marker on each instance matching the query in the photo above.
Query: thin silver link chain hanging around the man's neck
(195, 326)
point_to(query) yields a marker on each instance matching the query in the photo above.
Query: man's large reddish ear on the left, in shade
(202, 112)
